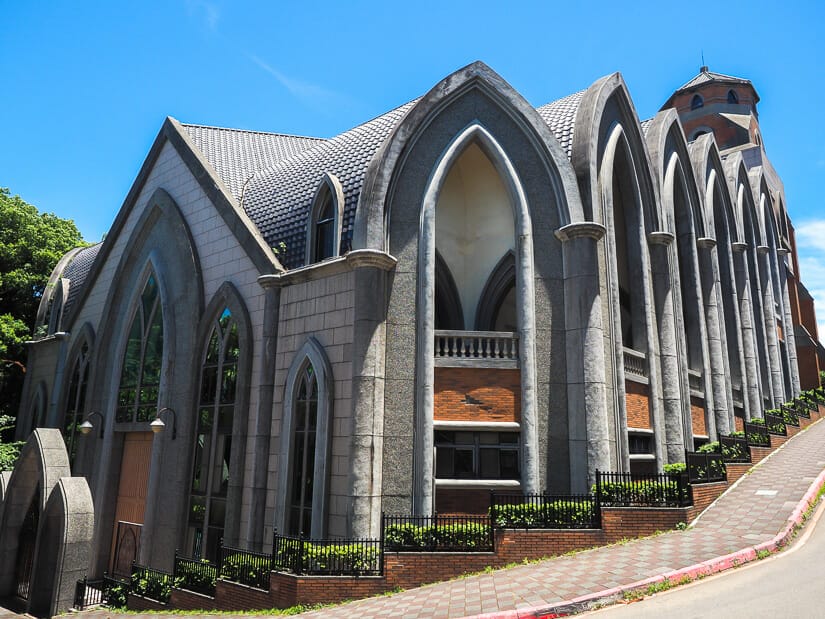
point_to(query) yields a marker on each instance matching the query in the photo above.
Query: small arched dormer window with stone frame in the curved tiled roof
(325, 220)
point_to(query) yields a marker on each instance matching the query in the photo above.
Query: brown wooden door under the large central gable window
(131, 496)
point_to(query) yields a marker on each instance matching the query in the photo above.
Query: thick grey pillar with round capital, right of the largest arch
(587, 408)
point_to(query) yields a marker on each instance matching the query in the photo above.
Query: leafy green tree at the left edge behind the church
(31, 243)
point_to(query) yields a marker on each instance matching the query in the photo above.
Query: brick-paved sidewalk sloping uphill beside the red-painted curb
(754, 511)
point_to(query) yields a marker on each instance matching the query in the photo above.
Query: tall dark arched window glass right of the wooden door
(213, 438)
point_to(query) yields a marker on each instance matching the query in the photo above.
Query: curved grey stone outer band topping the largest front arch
(369, 225)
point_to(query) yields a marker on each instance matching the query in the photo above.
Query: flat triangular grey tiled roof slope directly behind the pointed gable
(237, 154)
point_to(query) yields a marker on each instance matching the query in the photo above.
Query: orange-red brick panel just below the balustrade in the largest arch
(477, 394)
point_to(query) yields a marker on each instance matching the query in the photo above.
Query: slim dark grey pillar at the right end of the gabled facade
(261, 434)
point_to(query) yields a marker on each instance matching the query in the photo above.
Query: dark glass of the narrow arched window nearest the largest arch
(302, 466)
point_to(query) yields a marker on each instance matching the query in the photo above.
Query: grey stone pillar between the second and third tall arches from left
(669, 426)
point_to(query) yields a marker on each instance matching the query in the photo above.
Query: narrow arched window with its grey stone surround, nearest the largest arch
(303, 486)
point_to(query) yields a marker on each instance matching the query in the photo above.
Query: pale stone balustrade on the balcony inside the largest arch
(476, 348)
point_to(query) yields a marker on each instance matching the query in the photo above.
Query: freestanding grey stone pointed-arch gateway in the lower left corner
(46, 526)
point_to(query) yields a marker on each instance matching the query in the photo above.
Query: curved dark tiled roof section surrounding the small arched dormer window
(278, 199)
